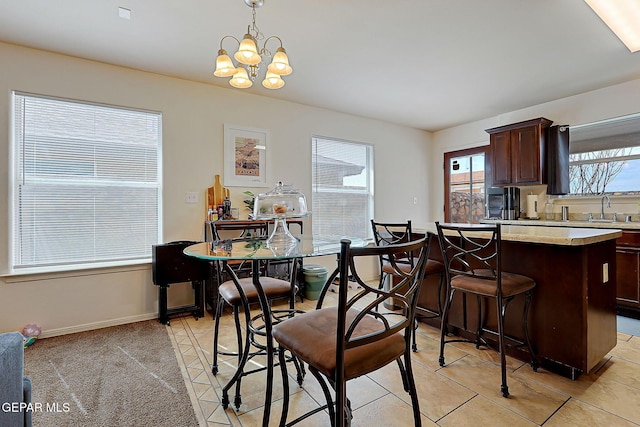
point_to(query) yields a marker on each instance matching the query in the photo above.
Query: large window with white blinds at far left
(86, 184)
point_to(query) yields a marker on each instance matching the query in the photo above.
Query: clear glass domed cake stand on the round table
(280, 204)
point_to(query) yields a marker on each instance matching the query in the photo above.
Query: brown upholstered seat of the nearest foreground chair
(312, 336)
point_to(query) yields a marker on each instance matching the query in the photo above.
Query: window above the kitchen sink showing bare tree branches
(605, 156)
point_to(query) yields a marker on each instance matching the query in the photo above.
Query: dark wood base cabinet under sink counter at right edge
(628, 273)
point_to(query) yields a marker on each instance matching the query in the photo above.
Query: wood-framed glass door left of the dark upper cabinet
(464, 185)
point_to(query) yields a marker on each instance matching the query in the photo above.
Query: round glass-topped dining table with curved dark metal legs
(259, 250)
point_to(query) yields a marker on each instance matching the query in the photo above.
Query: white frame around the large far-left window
(15, 181)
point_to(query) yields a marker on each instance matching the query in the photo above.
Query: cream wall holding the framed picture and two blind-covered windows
(193, 118)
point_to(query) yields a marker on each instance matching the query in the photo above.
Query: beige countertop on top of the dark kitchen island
(566, 236)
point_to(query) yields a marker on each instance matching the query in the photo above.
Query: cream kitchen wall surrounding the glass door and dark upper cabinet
(612, 101)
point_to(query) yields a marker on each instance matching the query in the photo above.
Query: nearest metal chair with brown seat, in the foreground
(355, 338)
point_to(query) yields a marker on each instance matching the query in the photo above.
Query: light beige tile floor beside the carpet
(464, 392)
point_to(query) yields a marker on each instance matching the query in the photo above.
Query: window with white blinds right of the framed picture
(342, 184)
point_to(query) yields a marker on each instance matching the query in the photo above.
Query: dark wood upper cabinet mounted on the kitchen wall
(518, 153)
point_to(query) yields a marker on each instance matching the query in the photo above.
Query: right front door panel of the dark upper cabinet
(526, 155)
